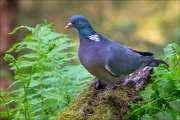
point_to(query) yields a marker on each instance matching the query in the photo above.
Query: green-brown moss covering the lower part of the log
(96, 105)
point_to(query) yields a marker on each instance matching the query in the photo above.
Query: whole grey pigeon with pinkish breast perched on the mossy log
(106, 59)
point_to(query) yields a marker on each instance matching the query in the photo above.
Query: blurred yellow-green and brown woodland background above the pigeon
(140, 24)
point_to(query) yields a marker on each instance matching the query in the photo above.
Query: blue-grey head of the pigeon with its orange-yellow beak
(79, 22)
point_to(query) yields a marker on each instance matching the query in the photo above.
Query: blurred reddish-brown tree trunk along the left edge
(8, 21)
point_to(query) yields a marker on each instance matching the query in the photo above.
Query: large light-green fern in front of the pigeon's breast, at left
(45, 78)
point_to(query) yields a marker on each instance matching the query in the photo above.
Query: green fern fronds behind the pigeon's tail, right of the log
(162, 95)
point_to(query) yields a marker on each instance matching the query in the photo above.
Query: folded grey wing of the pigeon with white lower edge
(121, 60)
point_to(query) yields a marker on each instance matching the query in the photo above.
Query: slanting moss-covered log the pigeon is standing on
(103, 104)
